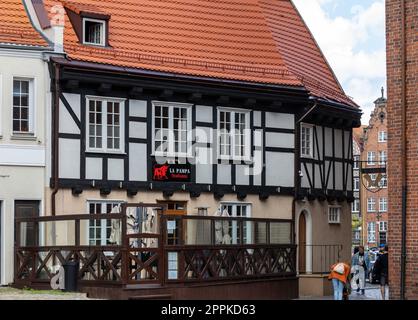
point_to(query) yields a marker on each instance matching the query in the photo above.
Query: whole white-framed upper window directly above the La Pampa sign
(172, 126)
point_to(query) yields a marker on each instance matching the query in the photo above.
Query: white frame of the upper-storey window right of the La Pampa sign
(247, 135)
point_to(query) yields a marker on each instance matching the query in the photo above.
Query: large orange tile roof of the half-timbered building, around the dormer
(262, 41)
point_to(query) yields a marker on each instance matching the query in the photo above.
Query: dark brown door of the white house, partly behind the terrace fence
(28, 234)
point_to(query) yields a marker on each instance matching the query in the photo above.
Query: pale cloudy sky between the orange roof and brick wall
(351, 34)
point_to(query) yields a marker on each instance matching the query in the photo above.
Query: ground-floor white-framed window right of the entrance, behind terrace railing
(238, 210)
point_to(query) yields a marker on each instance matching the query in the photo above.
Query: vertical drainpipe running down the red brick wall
(403, 151)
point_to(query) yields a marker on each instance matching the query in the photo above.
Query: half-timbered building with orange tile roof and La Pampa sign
(204, 107)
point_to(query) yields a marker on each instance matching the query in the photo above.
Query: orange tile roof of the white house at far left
(15, 26)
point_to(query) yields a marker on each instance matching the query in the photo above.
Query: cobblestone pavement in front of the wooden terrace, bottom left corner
(7, 293)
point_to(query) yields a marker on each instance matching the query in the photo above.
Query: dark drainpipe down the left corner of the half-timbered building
(55, 142)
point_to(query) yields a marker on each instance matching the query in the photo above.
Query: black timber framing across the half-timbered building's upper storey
(87, 79)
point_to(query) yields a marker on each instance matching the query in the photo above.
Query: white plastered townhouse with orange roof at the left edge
(24, 99)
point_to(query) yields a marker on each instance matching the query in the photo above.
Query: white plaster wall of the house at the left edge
(22, 160)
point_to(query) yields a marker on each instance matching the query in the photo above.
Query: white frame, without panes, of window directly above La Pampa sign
(171, 143)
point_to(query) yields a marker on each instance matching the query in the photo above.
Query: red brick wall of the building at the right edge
(394, 69)
